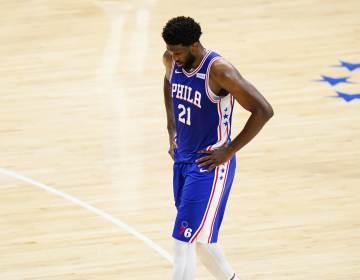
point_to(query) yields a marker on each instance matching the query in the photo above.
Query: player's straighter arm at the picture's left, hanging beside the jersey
(167, 60)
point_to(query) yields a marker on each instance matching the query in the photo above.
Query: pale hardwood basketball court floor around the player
(85, 178)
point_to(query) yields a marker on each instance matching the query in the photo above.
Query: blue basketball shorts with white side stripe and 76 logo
(200, 199)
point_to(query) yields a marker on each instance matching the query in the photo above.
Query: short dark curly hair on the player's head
(181, 30)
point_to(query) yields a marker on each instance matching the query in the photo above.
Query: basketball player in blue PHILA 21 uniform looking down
(200, 88)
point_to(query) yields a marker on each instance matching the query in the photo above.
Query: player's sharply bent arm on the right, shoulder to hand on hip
(227, 77)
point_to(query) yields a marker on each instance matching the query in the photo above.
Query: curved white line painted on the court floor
(100, 213)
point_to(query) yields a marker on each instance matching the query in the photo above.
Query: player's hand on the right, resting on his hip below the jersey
(214, 157)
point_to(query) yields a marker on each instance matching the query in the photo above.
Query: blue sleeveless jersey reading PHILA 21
(203, 119)
